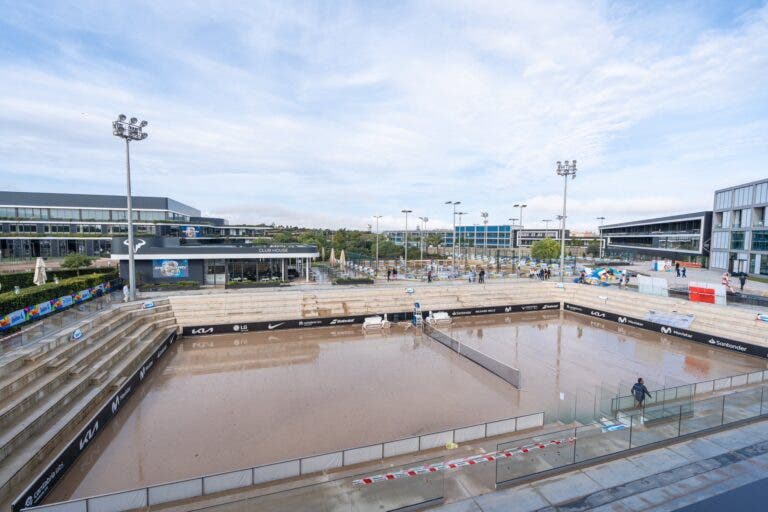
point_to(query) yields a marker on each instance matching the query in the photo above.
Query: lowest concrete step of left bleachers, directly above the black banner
(29, 458)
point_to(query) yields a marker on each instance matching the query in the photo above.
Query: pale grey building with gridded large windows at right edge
(739, 231)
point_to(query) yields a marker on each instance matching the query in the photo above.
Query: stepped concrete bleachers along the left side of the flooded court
(48, 393)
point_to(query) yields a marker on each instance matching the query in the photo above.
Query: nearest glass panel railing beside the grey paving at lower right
(630, 430)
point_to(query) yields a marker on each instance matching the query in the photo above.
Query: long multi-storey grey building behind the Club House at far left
(53, 225)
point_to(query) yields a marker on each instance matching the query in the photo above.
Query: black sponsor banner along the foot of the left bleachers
(39, 489)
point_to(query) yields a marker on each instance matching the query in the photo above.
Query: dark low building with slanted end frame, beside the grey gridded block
(684, 237)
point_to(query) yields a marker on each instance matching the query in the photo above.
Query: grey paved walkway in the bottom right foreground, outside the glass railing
(664, 479)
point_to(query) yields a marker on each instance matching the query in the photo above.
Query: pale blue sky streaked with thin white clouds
(326, 113)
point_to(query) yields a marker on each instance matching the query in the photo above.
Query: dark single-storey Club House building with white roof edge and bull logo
(167, 259)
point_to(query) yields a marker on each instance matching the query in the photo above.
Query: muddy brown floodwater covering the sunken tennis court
(226, 402)
